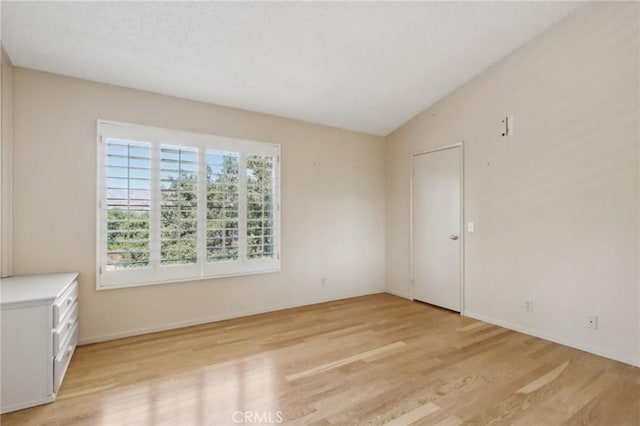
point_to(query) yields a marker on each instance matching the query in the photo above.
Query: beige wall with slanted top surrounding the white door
(556, 205)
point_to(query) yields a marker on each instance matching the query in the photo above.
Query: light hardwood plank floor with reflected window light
(369, 360)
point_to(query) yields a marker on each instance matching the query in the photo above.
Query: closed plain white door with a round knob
(436, 236)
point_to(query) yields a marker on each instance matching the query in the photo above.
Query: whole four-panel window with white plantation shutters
(175, 206)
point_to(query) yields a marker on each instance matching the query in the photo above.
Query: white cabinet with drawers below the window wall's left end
(39, 334)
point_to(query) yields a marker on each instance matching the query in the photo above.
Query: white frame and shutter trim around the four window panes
(171, 274)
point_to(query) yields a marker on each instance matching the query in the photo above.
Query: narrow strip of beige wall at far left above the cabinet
(6, 126)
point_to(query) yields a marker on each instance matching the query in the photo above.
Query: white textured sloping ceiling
(361, 66)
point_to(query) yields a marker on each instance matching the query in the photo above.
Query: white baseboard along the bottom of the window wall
(205, 320)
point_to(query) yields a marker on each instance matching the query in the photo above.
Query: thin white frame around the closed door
(462, 228)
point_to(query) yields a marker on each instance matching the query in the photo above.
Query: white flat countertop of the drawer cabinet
(34, 288)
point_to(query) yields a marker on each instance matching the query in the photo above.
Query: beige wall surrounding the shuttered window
(332, 205)
